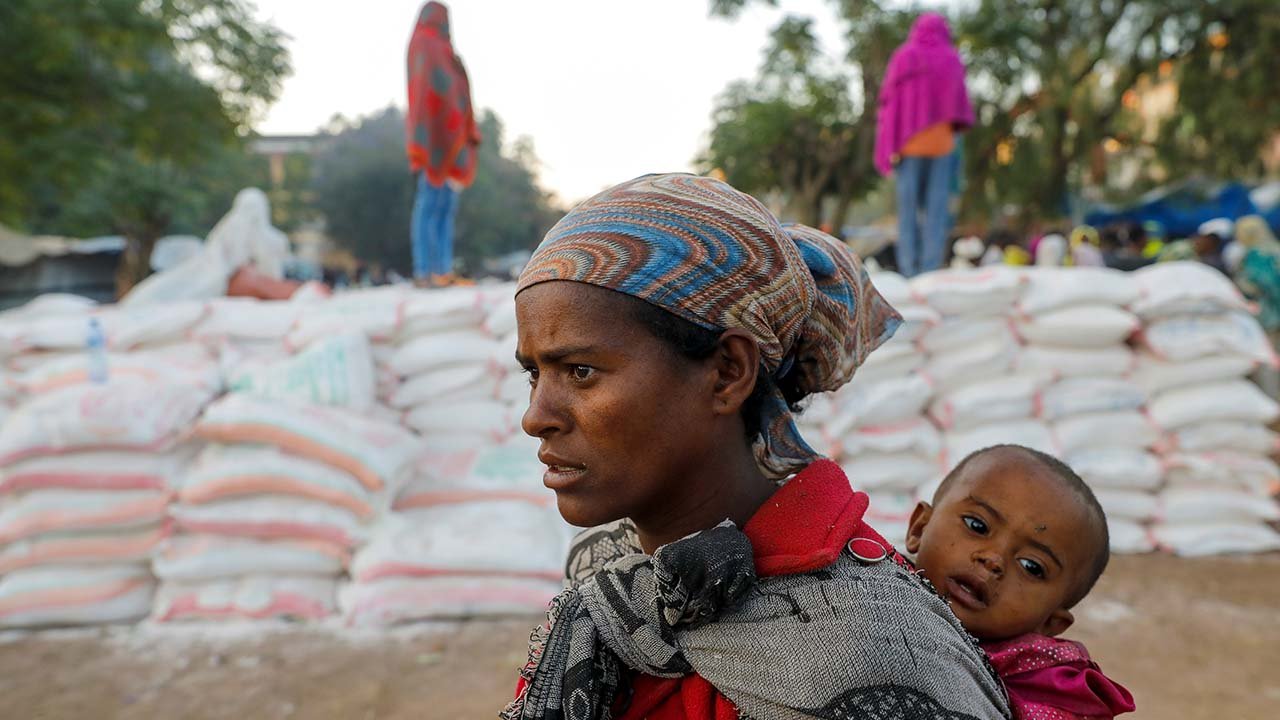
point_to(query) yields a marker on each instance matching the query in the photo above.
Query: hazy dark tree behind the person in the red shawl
(365, 192)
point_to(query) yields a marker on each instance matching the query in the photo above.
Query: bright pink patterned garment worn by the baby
(1053, 680)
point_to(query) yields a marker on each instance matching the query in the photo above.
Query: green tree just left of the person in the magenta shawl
(806, 127)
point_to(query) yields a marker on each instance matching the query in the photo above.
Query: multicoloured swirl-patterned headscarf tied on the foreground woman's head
(717, 258)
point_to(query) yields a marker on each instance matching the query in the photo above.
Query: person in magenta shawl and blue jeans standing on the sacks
(924, 104)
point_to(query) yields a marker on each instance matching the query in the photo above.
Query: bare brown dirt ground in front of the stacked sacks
(1191, 639)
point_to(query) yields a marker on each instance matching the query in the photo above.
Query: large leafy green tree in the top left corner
(116, 112)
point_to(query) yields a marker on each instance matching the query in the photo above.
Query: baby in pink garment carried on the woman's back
(1014, 540)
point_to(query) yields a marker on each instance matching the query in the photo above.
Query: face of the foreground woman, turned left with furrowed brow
(624, 421)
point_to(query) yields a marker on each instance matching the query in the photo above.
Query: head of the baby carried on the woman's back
(1014, 539)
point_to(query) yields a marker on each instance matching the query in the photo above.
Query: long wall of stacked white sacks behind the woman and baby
(363, 457)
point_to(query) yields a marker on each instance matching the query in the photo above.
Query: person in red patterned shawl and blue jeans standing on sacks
(442, 140)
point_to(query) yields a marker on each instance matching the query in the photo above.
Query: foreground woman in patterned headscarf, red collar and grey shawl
(670, 326)
